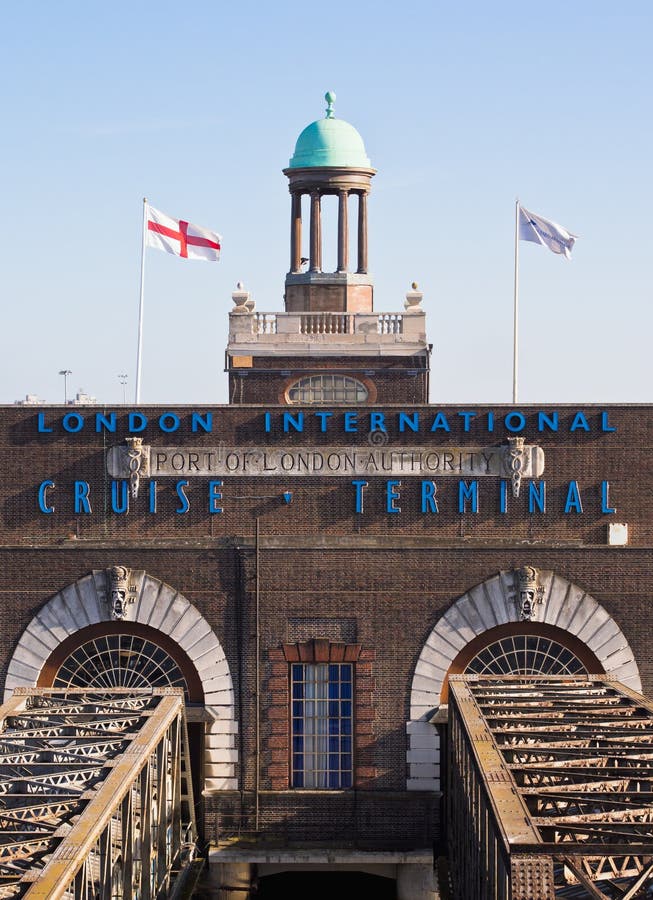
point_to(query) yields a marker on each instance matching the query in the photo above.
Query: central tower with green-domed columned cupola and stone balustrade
(329, 346)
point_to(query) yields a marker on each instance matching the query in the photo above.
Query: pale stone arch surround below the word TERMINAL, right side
(486, 606)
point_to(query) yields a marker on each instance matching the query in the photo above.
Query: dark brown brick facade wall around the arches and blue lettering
(328, 577)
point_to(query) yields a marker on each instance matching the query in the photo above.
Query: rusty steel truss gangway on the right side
(550, 788)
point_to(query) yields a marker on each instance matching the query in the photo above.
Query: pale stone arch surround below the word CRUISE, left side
(162, 608)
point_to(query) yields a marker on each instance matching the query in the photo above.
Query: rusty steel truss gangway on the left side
(95, 794)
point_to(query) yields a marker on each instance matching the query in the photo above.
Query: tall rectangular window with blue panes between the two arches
(322, 725)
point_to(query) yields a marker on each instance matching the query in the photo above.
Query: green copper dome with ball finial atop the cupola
(330, 142)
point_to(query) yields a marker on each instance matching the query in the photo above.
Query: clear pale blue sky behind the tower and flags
(197, 106)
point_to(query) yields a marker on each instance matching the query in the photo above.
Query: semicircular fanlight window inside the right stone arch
(525, 654)
